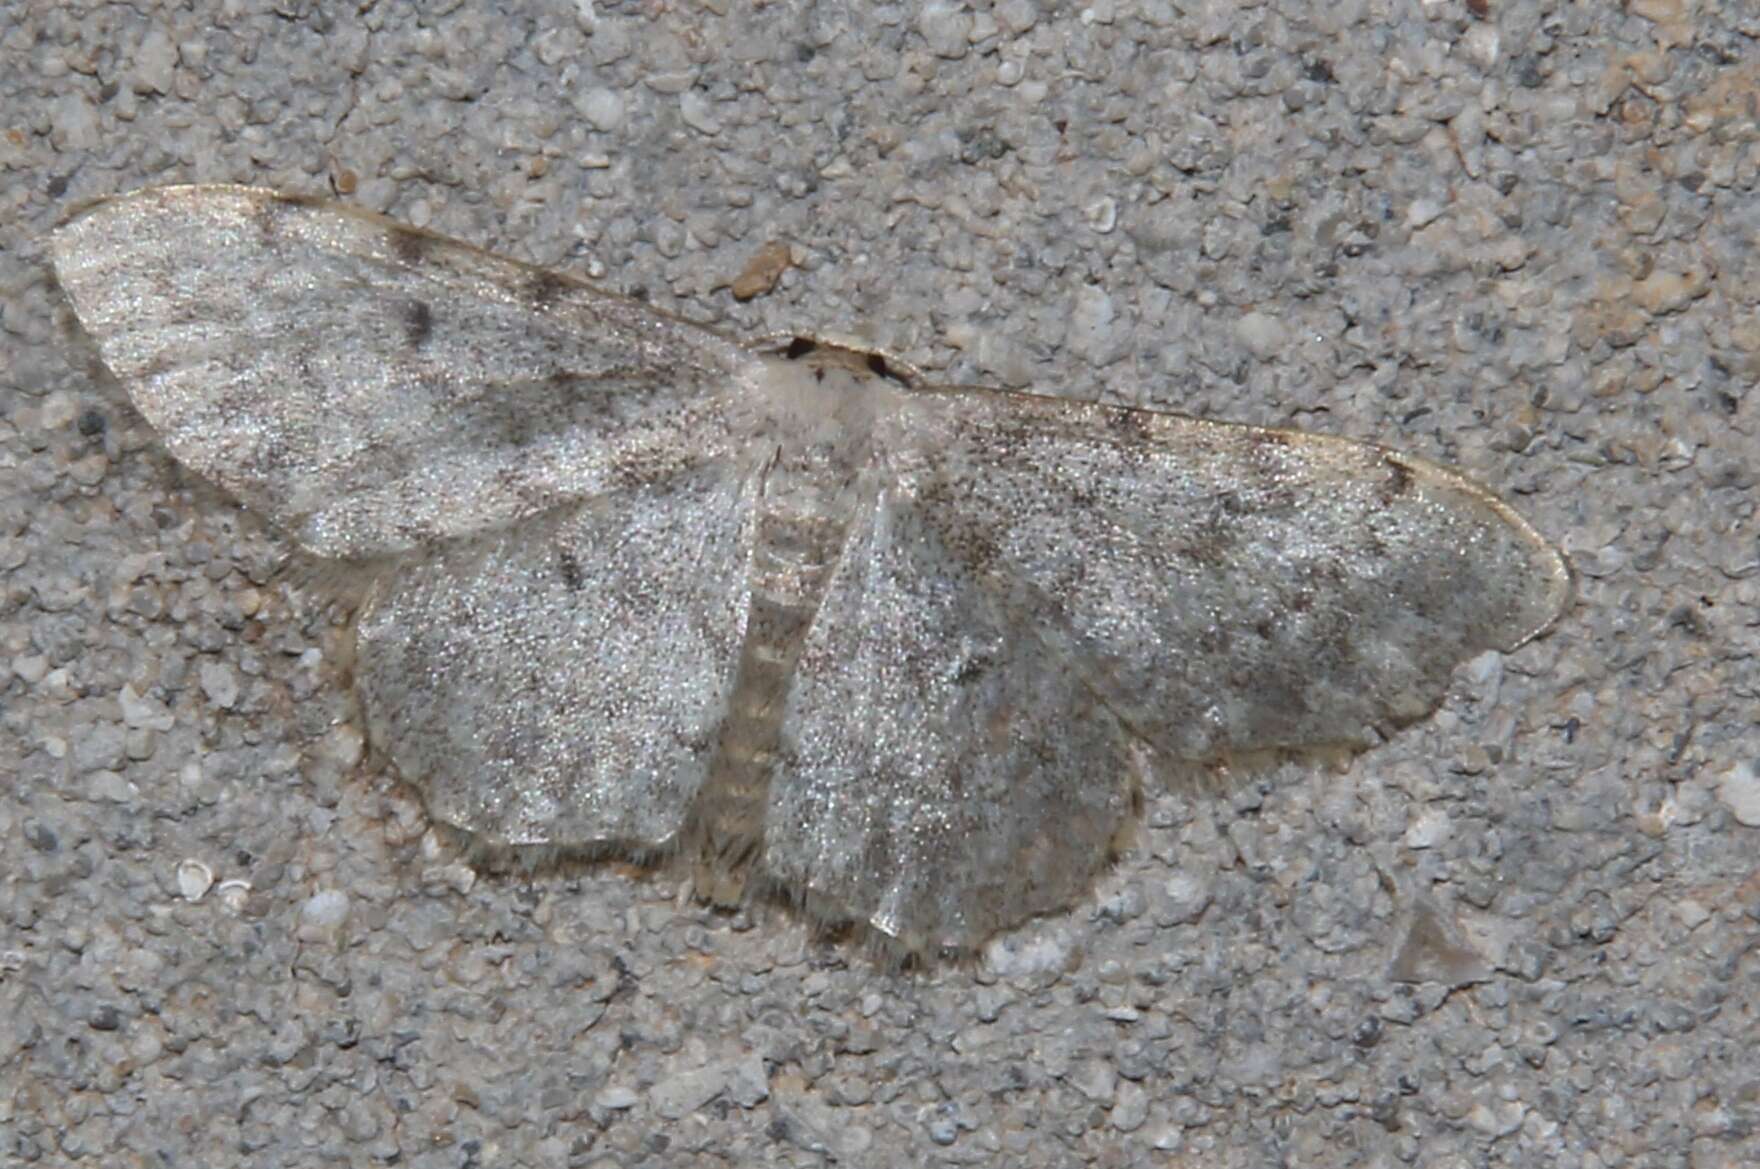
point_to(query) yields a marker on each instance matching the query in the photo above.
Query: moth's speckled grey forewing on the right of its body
(1275, 589)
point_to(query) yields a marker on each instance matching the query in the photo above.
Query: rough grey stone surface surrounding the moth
(1522, 244)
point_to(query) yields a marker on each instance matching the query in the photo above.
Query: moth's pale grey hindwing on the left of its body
(543, 689)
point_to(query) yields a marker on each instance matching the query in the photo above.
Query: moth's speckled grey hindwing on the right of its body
(944, 774)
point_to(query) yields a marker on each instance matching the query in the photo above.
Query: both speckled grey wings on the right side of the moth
(1052, 596)
